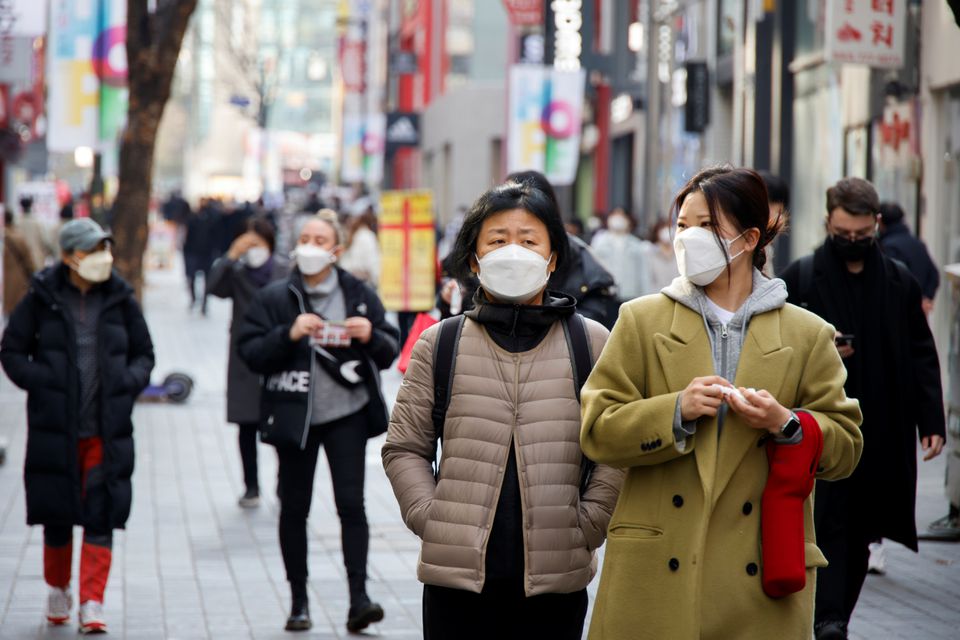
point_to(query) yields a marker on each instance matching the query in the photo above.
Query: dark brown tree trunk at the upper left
(153, 47)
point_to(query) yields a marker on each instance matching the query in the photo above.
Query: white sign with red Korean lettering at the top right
(870, 32)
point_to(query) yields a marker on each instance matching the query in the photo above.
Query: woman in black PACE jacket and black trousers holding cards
(319, 341)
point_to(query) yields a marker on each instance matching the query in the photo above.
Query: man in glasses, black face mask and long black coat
(892, 368)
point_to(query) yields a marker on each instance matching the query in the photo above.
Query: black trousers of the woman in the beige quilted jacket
(501, 611)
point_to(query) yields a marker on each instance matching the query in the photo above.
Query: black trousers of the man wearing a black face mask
(846, 546)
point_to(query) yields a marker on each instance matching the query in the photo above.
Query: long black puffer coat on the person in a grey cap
(39, 352)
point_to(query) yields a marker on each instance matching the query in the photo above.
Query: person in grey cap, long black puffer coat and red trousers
(79, 345)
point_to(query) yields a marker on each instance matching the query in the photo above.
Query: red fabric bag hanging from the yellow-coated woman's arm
(793, 469)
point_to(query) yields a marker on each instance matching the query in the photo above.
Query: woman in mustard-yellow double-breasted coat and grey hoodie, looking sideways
(684, 558)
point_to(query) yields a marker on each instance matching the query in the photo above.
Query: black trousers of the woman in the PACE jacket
(345, 442)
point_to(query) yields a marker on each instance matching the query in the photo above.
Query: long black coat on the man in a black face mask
(894, 373)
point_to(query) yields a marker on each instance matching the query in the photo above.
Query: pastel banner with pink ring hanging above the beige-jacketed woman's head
(545, 112)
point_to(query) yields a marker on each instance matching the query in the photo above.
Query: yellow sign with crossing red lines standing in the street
(408, 280)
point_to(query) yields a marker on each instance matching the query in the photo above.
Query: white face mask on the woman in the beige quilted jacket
(513, 274)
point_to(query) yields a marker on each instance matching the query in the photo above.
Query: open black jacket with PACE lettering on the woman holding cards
(264, 344)
